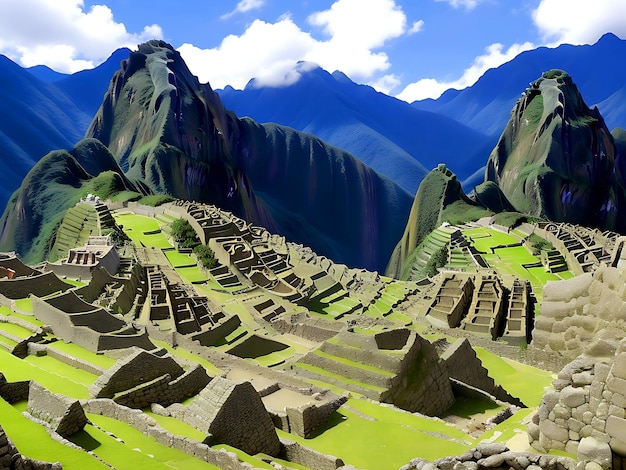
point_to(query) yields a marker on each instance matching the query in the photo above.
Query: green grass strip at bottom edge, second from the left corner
(137, 450)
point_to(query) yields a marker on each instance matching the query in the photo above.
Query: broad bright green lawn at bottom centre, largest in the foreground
(389, 441)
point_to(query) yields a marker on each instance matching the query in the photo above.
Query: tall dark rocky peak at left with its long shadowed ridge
(169, 134)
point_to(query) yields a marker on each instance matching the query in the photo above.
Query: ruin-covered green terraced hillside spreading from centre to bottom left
(158, 351)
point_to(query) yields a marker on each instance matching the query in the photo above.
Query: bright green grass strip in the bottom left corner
(33, 441)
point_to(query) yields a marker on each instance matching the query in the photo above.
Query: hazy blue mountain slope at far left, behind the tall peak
(38, 116)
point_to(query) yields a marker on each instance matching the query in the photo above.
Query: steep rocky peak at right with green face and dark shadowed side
(557, 159)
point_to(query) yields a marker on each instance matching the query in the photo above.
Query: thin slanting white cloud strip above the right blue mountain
(494, 56)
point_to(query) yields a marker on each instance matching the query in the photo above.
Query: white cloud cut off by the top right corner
(579, 21)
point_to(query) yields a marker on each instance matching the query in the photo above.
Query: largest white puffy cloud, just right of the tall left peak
(351, 37)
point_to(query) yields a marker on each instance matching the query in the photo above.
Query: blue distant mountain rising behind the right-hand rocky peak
(597, 69)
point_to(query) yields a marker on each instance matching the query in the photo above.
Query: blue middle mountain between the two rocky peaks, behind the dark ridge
(387, 134)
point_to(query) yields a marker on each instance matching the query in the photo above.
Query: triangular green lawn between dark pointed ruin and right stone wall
(520, 380)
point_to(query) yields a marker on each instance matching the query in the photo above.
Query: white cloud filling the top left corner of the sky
(62, 34)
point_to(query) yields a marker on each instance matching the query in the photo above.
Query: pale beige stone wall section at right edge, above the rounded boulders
(585, 314)
